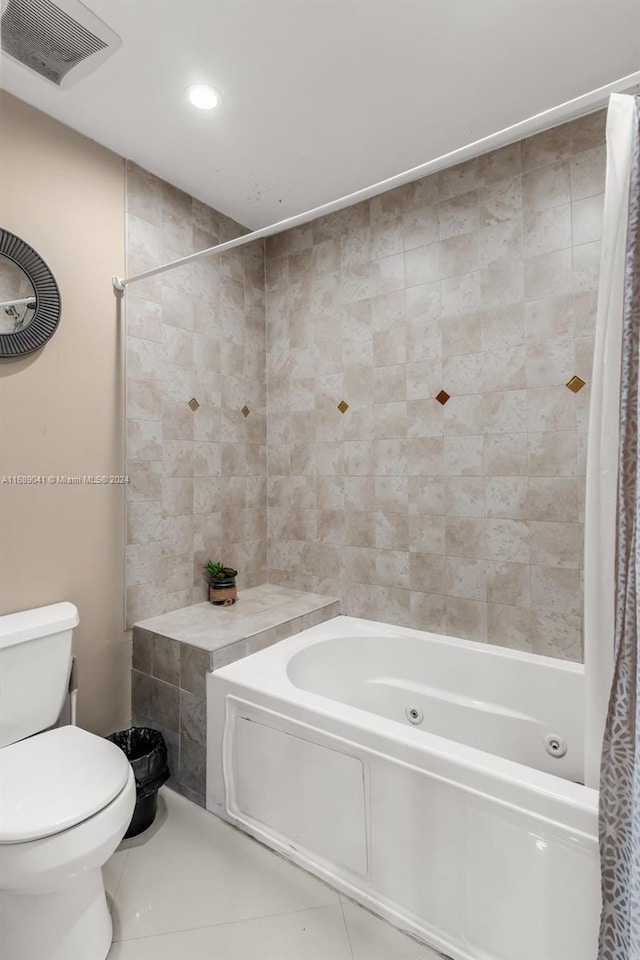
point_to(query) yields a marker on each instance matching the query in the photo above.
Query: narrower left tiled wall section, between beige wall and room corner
(197, 477)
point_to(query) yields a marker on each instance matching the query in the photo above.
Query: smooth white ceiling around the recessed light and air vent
(324, 97)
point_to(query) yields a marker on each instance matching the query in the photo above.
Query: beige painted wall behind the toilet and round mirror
(61, 408)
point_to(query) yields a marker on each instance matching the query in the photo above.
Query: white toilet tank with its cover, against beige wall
(35, 662)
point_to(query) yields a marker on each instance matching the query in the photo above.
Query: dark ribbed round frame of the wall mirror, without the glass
(47, 296)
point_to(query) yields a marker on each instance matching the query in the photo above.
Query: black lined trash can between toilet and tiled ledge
(146, 751)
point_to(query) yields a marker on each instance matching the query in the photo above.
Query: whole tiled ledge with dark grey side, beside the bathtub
(172, 655)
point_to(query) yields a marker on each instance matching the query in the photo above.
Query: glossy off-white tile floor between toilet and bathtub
(194, 888)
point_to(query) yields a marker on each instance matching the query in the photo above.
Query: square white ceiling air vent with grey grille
(62, 41)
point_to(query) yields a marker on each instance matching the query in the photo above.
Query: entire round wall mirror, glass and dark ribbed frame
(29, 298)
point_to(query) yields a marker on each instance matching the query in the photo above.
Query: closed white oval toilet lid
(55, 780)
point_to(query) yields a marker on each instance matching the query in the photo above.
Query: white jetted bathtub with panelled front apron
(461, 829)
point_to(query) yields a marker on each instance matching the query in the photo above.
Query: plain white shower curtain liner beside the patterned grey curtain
(603, 444)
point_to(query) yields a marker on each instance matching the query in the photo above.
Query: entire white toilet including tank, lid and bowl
(66, 800)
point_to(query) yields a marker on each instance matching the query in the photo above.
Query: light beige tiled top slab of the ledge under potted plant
(262, 616)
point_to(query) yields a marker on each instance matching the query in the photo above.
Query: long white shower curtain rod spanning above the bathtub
(536, 124)
